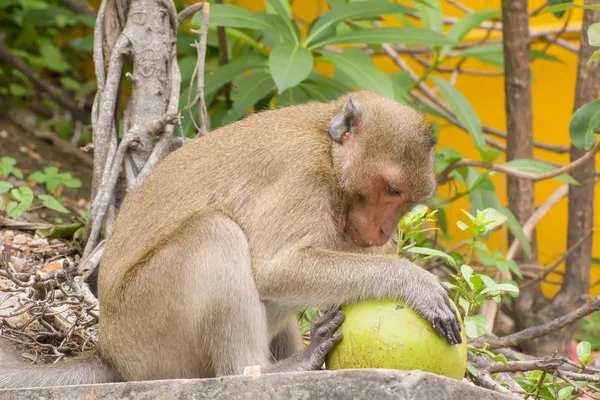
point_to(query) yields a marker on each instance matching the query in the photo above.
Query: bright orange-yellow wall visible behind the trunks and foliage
(553, 96)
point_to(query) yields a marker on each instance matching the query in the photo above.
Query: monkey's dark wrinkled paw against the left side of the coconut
(323, 336)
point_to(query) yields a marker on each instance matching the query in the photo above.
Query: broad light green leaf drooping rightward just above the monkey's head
(359, 67)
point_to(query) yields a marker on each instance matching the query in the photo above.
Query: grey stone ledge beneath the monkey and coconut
(370, 384)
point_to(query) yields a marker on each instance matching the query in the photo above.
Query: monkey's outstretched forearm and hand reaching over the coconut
(312, 276)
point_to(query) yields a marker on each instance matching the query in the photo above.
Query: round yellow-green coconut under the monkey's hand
(389, 334)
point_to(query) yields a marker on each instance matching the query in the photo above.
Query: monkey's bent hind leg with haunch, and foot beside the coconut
(200, 310)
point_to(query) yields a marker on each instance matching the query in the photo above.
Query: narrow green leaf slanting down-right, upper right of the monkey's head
(462, 109)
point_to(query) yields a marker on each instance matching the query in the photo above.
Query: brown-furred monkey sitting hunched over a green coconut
(212, 256)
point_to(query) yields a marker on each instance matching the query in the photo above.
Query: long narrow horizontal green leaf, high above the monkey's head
(422, 36)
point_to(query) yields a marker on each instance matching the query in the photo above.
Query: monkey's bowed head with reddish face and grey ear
(386, 164)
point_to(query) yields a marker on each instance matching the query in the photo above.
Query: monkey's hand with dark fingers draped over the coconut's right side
(433, 303)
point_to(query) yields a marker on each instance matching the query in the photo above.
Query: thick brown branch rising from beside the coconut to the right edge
(535, 332)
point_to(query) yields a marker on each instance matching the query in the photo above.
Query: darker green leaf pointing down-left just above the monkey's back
(251, 89)
